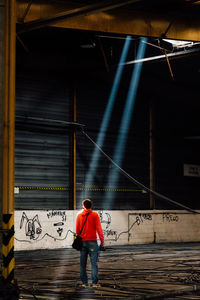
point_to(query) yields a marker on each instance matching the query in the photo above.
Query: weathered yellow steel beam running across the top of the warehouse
(103, 19)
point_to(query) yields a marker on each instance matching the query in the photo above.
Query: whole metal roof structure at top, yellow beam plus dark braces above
(174, 19)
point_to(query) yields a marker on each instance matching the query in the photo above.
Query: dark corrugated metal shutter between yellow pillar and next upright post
(41, 143)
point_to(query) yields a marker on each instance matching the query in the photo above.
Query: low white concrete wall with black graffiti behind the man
(52, 229)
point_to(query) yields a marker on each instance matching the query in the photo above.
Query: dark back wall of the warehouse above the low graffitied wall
(46, 76)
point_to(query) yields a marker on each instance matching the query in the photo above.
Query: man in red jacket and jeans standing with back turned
(89, 237)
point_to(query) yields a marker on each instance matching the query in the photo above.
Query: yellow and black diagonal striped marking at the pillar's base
(8, 248)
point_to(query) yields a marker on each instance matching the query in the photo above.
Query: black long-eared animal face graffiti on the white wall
(33, 228)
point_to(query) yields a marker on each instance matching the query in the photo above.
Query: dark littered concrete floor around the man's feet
(155, 271)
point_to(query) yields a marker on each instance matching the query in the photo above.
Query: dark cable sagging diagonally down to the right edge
(136, 182)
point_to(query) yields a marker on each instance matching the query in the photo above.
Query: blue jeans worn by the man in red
(91, 248)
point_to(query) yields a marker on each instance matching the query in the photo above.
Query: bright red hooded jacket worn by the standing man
(91, 227)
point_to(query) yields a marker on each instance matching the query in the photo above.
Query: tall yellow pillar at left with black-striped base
(8, 138)
